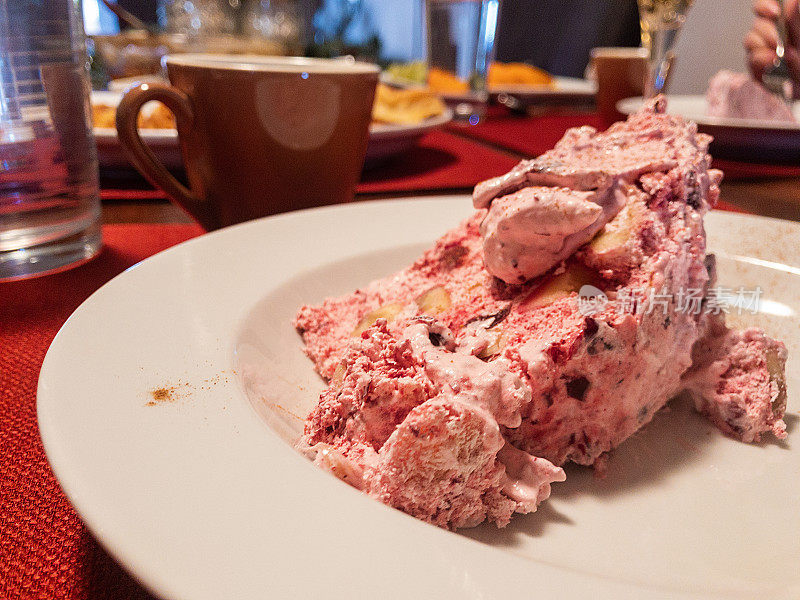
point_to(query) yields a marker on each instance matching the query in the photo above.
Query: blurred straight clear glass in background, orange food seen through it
(460, 41)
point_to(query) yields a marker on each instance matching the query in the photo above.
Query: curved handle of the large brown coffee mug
(143, 158)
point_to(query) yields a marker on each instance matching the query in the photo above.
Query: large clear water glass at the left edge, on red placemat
(49, 198)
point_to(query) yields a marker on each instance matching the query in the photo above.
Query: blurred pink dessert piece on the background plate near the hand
(733, 95)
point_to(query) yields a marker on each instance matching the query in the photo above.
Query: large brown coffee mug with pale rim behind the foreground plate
(258, 135)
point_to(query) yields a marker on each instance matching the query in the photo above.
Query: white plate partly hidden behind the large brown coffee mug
(385, 141)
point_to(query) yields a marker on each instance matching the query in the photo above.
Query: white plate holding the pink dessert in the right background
(743, 139)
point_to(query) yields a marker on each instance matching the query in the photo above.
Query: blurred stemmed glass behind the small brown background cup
(660, 21)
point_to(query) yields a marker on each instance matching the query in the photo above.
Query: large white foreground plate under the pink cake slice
(203, 497)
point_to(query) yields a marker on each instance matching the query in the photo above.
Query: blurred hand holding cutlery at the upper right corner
(762, 39)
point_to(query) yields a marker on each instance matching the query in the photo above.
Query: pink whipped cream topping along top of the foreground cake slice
(544, 209)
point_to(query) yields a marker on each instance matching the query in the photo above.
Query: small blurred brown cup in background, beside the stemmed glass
(621, 73)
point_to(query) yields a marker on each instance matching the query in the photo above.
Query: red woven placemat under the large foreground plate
(45, 550)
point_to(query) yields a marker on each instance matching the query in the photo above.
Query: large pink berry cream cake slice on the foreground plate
(547, 328)
